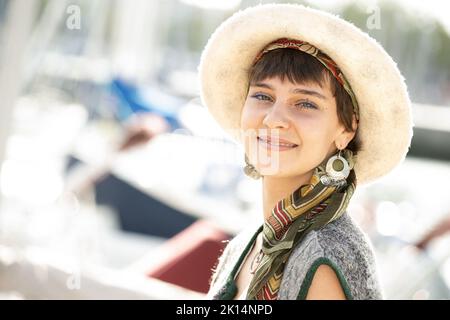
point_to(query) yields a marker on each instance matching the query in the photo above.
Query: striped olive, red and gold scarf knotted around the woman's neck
(310, 207)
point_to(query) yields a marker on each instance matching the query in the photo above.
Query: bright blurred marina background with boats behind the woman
(115, 183)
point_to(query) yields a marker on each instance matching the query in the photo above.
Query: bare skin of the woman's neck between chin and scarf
(276, 188)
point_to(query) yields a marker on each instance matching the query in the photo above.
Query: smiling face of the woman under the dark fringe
(289, 128)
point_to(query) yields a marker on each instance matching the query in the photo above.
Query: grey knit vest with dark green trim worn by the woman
(341, 244)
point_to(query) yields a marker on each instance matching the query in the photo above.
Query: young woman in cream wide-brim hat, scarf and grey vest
(319, 107)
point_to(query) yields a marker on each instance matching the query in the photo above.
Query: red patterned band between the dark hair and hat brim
(319, 55)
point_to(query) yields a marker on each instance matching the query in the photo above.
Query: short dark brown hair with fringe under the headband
(300, 67)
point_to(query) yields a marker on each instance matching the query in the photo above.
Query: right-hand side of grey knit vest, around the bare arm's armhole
(345, 249)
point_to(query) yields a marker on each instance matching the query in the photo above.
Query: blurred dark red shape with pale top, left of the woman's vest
(190, 256)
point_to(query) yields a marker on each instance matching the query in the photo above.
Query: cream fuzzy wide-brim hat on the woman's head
(385, 125)
